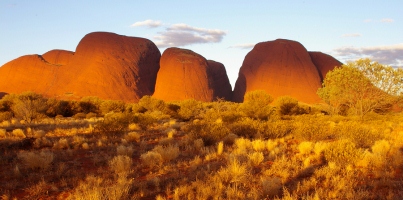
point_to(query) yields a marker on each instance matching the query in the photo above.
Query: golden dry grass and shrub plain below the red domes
(95, 149)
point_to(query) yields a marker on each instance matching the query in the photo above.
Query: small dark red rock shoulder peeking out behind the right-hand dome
(324, 62)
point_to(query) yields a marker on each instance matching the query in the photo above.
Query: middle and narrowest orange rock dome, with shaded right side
(185, 74)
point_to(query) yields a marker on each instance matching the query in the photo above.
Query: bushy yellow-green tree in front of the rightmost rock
(349, 87)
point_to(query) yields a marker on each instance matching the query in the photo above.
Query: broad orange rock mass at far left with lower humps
(106, 65)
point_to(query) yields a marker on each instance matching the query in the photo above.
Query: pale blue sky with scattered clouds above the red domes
(224, 31)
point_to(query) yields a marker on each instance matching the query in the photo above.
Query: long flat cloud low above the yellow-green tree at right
(390, 54)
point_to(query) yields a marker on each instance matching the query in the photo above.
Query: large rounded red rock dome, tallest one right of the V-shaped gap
(280, 67)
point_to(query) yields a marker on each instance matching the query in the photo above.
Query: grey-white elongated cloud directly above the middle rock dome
(182, 35)
